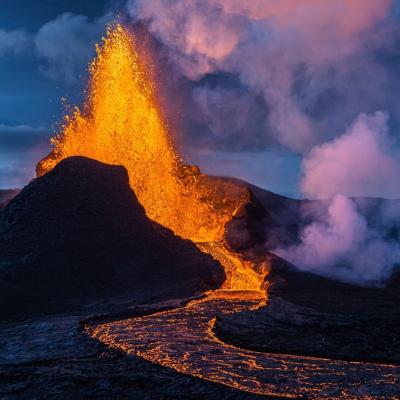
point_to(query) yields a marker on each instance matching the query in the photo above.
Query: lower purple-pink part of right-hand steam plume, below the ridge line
(342, 246)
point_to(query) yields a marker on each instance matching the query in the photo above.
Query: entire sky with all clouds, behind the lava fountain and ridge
(300, 97)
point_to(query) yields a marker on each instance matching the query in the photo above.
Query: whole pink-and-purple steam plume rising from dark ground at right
(355, 240)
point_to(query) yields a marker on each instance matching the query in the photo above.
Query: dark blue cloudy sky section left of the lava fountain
(32, 81)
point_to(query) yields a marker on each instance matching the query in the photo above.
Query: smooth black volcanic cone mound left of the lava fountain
(80, 232)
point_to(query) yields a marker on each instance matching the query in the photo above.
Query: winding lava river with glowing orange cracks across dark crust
(183, 339)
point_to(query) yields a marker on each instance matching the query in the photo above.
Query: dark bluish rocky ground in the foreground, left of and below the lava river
(50, 357)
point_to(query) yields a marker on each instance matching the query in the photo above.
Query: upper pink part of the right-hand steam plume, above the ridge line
(361, 162)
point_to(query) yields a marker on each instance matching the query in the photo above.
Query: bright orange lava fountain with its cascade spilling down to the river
(121, 123)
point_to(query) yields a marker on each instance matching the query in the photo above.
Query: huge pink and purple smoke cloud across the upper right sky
(301, 58)
